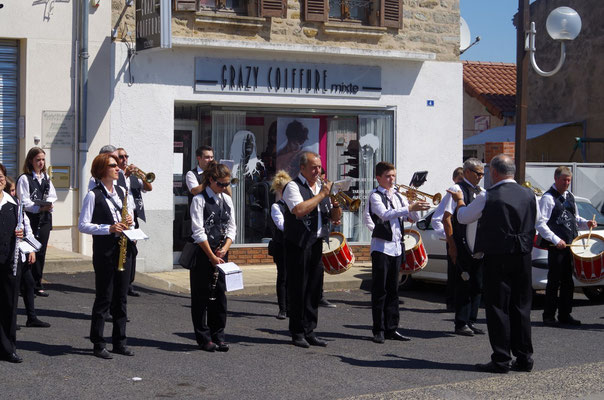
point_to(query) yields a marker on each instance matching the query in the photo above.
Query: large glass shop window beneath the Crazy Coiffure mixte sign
(260, 142)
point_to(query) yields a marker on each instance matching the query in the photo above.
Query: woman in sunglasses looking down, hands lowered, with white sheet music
(213, 223)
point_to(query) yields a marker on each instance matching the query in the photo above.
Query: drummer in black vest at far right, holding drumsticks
(559, 225)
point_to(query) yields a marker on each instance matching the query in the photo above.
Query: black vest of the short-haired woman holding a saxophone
(104, 245)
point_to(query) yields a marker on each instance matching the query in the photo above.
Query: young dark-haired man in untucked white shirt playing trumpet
(387, 209)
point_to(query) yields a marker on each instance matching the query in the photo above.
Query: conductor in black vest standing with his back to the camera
(506, 215)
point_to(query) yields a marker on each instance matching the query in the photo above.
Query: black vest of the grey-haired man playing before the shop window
(302, 232)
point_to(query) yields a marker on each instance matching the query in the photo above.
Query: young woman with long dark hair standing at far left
(35, 184)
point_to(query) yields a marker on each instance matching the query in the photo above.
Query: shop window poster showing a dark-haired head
(295, 136)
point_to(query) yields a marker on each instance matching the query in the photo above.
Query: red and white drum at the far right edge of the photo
(588, 256)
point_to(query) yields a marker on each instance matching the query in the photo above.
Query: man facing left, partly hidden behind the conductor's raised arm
(466, 276)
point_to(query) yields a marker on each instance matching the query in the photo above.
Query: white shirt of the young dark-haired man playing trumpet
(392, 247)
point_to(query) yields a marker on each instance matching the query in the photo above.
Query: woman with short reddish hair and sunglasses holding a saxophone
(101, 216)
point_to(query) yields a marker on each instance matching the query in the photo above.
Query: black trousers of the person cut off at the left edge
(8, 307)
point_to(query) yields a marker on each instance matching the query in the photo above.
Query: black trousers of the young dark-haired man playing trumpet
(384, 291)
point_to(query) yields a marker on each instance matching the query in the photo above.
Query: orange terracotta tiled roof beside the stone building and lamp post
(493, 84)
